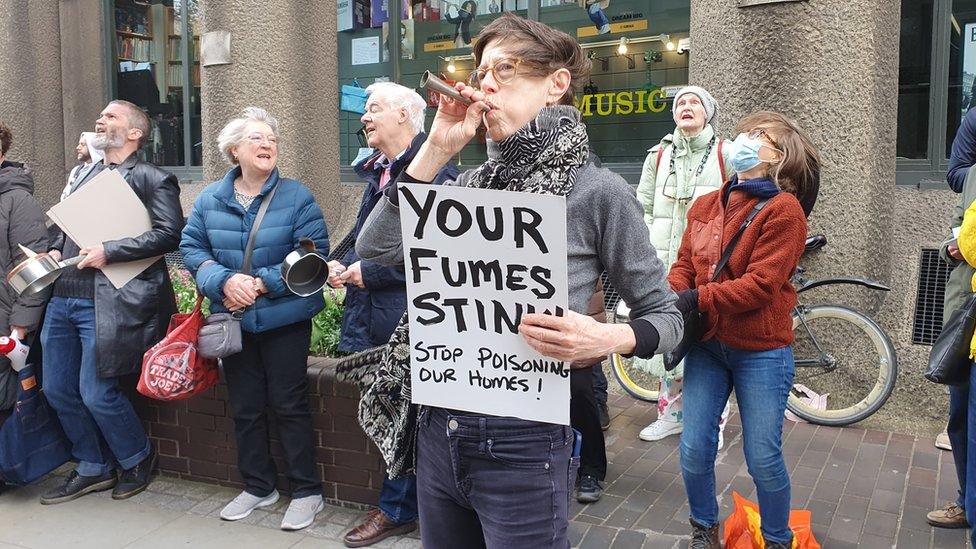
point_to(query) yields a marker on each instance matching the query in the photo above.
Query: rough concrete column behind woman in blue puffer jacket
(283, 59)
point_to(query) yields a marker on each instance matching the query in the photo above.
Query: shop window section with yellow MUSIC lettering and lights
(639, 52)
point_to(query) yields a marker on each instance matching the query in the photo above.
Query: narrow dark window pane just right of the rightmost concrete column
(914, 77)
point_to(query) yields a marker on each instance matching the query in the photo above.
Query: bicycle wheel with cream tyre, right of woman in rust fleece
(845, 355)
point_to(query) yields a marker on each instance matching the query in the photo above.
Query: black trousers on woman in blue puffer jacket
(271, 372)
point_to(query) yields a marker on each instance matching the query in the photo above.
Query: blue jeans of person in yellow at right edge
(962, 433)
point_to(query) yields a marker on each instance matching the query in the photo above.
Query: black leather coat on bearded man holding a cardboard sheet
(131, 320)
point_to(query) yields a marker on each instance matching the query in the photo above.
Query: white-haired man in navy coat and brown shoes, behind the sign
(376, 294)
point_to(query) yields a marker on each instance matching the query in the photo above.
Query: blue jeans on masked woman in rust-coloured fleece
(762, 381)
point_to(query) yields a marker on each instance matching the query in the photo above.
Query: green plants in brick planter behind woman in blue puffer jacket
(325, 325)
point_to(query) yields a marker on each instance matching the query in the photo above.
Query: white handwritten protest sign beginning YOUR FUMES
(476, 260)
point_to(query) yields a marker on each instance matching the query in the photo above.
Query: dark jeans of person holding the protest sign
(485, 481)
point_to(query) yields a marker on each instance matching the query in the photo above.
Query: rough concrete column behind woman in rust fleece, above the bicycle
(832, 65)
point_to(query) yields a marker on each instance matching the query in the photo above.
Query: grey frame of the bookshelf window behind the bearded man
(186, 171)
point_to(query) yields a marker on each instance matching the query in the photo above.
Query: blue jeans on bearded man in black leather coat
(97, 417)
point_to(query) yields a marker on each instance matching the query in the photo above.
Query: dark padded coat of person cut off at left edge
(21, 222)
